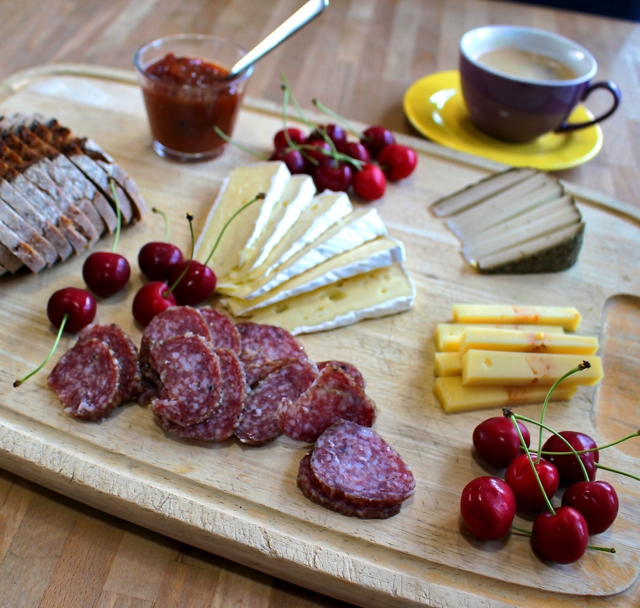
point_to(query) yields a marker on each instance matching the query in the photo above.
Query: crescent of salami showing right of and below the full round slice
(227, 416)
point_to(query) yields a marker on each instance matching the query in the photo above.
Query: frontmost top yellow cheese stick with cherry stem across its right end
(493, 368)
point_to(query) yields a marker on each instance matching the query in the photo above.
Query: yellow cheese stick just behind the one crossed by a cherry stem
(477, 338)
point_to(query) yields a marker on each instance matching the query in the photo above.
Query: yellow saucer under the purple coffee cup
(435, 107)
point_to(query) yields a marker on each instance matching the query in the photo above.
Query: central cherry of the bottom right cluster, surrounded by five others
(522, 481)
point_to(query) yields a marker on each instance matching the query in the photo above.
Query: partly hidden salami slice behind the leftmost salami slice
(126, 353)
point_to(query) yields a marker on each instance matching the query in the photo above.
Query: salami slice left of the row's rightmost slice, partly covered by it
(260, 422)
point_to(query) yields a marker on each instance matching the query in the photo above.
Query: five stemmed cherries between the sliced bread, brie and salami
(172, 280)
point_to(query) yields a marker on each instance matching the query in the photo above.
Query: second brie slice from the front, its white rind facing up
(379, 253)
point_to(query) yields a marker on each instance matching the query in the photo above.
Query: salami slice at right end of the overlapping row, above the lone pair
(333, 396)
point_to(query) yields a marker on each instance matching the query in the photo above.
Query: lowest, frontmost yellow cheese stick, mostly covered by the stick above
(454, 397)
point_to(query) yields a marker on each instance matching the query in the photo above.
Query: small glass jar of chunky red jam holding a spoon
(185, 98)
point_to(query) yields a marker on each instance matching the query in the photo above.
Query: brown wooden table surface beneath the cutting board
(358, 58)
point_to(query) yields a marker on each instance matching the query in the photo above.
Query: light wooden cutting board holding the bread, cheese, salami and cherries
(242, 502)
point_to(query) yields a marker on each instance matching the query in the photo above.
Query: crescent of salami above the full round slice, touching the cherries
(175, 321)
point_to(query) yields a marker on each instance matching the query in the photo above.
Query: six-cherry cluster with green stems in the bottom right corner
(561, 534)
